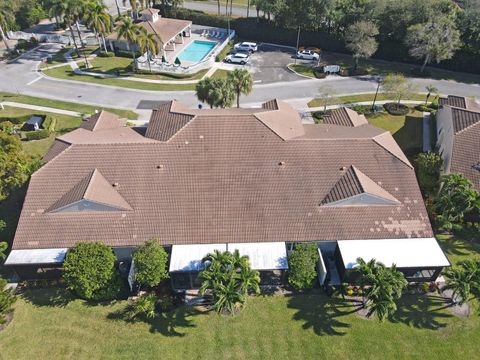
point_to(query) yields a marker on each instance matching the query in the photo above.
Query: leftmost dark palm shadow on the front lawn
(167, 323)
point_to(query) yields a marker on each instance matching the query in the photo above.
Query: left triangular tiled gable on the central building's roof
(94, 188)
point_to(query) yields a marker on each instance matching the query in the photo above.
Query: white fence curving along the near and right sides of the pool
(158, 66)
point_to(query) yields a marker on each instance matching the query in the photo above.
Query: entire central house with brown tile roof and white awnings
(256, 180)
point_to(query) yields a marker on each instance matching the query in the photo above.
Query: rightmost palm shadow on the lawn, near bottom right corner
(422, 312)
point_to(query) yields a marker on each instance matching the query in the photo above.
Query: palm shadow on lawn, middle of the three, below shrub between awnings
(321, 313)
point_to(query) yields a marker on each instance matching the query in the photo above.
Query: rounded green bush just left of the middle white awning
(150, 263)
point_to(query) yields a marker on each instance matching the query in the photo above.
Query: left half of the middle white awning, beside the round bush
(189, 257)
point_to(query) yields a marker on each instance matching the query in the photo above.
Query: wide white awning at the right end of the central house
(404, 253)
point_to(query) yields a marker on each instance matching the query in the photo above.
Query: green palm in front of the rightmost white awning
(382, 287)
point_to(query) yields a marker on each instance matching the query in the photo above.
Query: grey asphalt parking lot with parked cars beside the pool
(269, 64)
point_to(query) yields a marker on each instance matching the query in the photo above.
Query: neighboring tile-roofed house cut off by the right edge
(458, 137)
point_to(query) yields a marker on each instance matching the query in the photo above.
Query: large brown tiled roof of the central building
(225, 176)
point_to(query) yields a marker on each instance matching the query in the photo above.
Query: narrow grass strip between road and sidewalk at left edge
(64, 105)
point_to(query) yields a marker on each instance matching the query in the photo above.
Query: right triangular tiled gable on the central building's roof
(352, 183)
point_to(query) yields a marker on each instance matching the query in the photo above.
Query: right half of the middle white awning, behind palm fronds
(263, 256)
